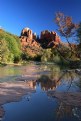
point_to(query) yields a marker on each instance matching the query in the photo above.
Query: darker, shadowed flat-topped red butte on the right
(49, 39)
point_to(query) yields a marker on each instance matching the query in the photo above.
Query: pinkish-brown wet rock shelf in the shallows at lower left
(13, 91)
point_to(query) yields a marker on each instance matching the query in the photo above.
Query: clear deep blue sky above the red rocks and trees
(37, 15)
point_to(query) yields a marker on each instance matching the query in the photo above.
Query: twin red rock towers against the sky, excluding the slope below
(47, 39)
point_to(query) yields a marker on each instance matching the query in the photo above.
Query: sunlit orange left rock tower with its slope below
(29, 43)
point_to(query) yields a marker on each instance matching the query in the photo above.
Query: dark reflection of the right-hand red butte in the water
(51, 82)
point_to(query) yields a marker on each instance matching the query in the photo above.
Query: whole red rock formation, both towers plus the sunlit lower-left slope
(33, 45)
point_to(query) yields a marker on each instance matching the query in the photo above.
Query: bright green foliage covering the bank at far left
(11, 45)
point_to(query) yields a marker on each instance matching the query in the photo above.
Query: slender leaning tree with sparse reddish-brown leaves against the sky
(66, 27)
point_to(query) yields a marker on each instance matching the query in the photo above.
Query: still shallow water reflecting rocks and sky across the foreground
(35, 92)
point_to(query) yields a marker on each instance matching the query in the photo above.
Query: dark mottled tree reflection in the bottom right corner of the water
(68, 111)
